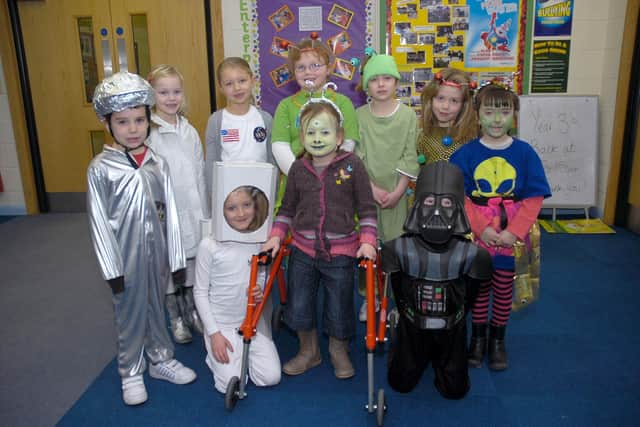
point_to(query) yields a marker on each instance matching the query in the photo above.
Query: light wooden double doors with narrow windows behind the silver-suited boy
(73, 44)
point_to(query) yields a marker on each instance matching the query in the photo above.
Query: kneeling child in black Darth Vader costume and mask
(434, 272)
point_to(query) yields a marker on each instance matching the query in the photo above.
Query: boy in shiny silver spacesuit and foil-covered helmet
(135, 233)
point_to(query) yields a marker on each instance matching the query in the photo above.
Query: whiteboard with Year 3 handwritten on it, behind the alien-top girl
(564, 132)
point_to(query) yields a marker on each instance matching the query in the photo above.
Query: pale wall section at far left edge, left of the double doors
(12, 199)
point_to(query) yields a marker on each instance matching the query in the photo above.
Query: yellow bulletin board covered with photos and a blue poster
(483, 37)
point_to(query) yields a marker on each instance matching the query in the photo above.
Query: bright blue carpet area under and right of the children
(573, 362)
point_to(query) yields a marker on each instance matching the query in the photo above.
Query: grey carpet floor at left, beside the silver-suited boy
(52, 303)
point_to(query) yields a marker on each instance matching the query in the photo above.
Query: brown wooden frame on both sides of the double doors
(19, 105)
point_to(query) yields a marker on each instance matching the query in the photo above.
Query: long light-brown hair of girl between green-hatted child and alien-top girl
(465, 126)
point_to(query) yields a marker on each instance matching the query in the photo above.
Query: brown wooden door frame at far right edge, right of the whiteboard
(620, 114)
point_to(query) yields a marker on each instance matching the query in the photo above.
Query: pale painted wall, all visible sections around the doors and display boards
(595, 54)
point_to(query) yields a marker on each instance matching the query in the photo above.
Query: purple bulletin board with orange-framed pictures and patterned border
(345, 27)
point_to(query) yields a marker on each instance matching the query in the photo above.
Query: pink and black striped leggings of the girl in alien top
(502, 285)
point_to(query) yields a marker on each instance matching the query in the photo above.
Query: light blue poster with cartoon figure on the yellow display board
(494, 34)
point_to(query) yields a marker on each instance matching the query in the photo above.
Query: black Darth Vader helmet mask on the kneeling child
(438, 211)
